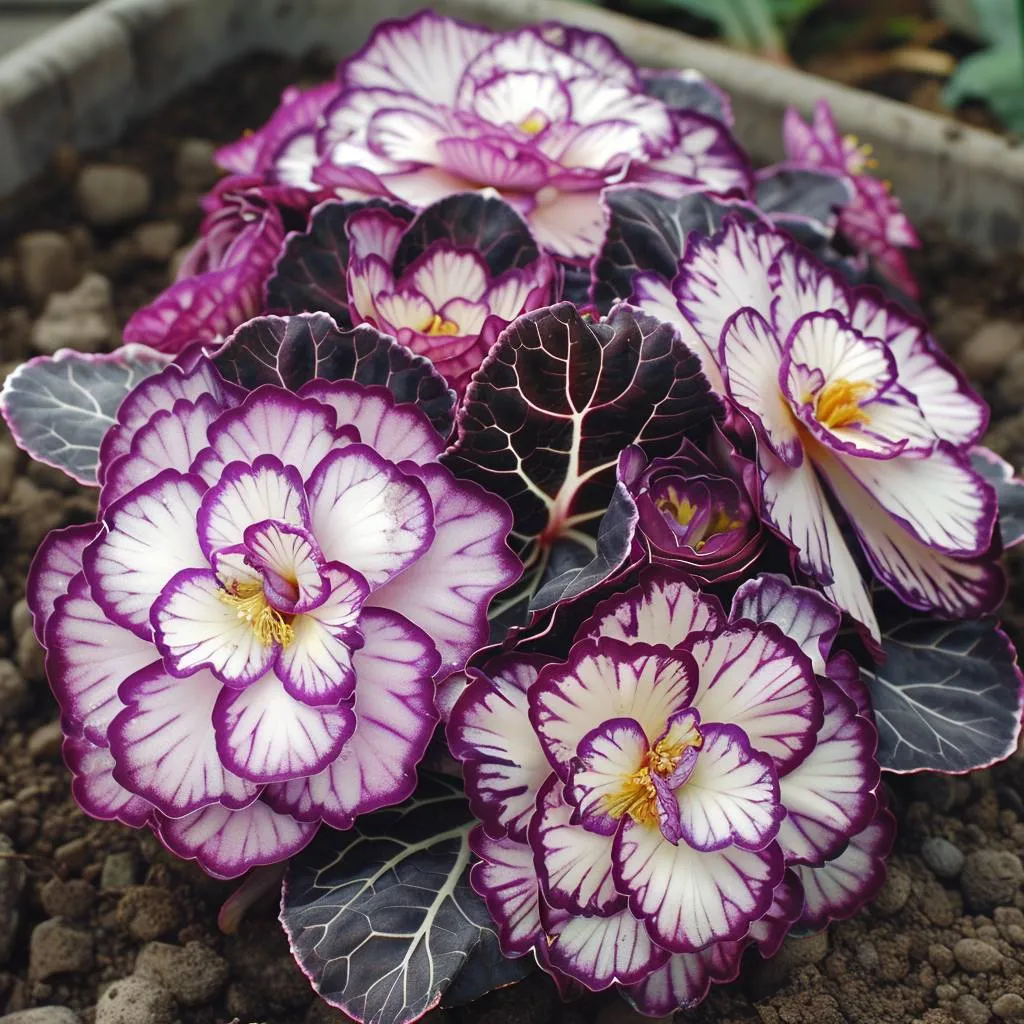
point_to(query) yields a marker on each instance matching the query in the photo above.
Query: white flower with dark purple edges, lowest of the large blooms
(684, 785)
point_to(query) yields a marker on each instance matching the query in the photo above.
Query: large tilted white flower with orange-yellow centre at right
(848, 397)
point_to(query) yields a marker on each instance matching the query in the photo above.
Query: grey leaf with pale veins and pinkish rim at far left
(60, 408)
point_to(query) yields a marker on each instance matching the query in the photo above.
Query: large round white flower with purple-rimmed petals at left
(246, 644)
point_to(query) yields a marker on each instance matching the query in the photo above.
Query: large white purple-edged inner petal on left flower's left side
(150, 536)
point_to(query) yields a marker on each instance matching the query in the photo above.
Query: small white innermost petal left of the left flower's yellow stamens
(195, 628)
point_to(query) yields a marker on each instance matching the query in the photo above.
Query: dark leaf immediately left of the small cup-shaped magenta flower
(311, 275)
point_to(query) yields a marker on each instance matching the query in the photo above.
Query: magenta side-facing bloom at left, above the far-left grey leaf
(221, 283)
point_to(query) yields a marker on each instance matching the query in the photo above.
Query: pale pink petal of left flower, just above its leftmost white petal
(172, 440)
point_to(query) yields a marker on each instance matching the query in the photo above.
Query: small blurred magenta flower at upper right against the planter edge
(874, 223)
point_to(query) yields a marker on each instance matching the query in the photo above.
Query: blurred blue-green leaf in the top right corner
(996, 75)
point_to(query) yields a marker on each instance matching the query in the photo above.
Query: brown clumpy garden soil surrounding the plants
(99, 925)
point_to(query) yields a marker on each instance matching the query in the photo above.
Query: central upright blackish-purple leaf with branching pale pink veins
(548, 414)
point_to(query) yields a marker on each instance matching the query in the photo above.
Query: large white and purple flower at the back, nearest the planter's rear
(546, 116)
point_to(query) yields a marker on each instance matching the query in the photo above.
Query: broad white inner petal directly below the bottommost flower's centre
(690, 899)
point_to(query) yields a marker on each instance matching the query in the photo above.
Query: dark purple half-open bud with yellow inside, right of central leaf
(697, 511)
